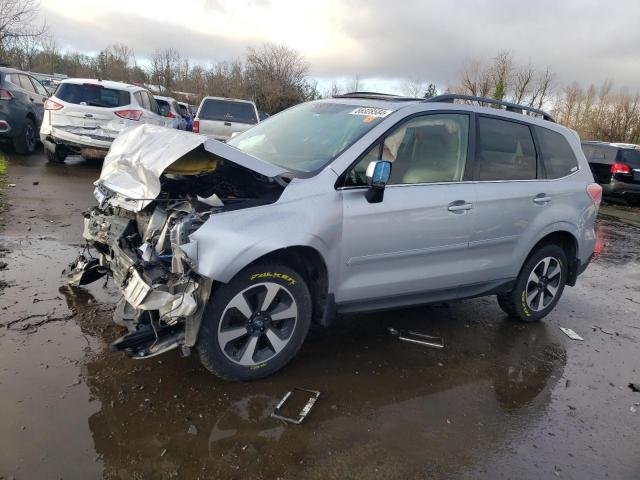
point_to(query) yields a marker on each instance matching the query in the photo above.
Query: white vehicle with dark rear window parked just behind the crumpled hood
(221, 118)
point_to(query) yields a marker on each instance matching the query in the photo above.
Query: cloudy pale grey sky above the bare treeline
(383, 41)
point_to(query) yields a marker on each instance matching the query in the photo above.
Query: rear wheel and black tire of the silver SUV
(518, 304)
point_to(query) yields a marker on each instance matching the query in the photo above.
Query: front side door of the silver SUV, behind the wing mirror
(414, 240)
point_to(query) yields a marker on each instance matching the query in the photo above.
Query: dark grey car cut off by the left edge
(22, 99)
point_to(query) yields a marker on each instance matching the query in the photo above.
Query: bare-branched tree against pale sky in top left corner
(17, 22)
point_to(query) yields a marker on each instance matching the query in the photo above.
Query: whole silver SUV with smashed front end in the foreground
(357, 203)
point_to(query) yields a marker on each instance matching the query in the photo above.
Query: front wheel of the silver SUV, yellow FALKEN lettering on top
(253, 281)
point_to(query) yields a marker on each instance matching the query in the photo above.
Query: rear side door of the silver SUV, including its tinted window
(511, 193)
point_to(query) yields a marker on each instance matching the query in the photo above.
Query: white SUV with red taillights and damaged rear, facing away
(84, 116)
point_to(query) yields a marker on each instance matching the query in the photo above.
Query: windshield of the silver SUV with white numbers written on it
(309, 136)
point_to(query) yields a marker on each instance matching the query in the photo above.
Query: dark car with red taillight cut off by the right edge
(615, 166)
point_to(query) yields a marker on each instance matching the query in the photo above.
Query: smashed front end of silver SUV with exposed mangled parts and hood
(149, 203)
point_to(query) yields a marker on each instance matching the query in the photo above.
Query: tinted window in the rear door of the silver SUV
(505, 150)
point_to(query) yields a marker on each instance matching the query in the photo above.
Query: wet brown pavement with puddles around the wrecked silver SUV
(501, 400)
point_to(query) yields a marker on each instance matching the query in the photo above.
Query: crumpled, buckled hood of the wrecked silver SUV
(139, 156)
